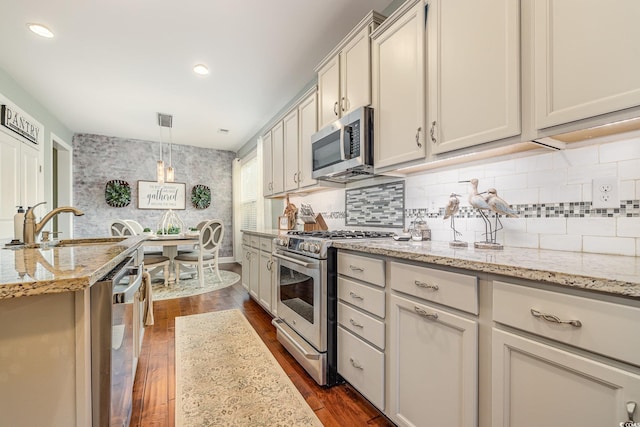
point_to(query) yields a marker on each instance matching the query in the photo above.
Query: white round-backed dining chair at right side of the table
(209, 240)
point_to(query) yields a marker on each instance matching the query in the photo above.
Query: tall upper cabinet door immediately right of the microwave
(398, 90)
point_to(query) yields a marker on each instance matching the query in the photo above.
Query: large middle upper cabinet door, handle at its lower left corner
(473, 72)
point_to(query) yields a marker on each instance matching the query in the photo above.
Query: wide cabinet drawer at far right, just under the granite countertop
(605, 328)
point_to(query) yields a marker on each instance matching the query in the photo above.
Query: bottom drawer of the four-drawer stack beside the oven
(362, 366)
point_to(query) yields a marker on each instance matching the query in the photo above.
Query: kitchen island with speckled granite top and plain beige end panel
(45, 339)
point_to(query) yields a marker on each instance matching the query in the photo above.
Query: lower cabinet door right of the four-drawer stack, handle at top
(434, 366)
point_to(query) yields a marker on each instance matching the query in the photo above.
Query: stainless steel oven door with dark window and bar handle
(302, 296)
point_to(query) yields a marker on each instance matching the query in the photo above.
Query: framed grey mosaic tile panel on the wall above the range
(379, 205)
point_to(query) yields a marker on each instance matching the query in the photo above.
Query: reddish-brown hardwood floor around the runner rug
(154, 386)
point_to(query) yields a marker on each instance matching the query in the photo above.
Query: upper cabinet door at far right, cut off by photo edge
(587, 59)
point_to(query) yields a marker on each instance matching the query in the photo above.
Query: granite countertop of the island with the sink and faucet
(25, 272)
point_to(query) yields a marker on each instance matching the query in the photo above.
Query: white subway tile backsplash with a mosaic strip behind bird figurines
(551, 190)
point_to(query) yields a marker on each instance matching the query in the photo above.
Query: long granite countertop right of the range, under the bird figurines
(612, 274)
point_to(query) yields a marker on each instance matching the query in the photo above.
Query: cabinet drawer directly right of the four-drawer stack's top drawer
(451, 289)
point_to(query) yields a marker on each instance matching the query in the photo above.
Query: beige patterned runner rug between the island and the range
(226, 376)
